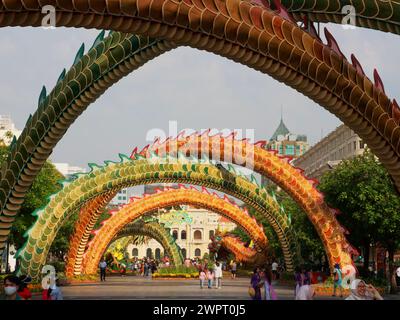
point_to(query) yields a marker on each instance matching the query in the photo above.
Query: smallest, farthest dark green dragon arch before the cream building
(155, 230)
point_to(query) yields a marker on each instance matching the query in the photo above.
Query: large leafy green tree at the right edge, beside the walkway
(363, 191)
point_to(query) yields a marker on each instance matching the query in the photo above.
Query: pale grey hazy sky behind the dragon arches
(196, 89)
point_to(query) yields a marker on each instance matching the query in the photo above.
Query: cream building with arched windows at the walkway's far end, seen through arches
(191, 227)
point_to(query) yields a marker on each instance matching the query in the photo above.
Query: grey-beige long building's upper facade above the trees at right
(341, 144)
